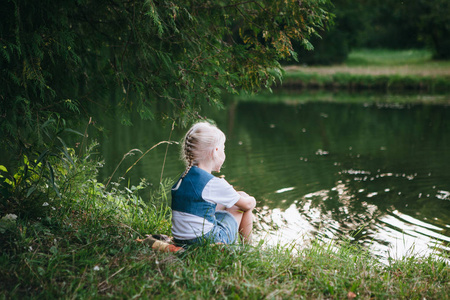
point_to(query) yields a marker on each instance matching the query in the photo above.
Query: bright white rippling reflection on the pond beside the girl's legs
(393, 234)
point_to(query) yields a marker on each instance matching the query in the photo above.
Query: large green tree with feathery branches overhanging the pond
(58, 56)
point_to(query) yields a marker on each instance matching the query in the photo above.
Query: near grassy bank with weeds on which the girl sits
(83, 244)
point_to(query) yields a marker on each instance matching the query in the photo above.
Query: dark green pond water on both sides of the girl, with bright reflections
(375, 172)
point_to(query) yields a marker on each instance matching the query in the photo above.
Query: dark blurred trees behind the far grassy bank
(381, 24)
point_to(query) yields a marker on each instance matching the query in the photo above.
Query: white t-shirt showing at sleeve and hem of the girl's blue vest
(186, 226)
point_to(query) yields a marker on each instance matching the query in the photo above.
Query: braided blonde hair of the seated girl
(199, 143)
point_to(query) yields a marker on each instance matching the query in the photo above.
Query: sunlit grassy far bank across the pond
(376, 70)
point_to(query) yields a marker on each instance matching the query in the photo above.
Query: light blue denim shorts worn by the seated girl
(225, 231)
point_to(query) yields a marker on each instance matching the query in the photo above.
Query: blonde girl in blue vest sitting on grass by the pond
(206, 208)
